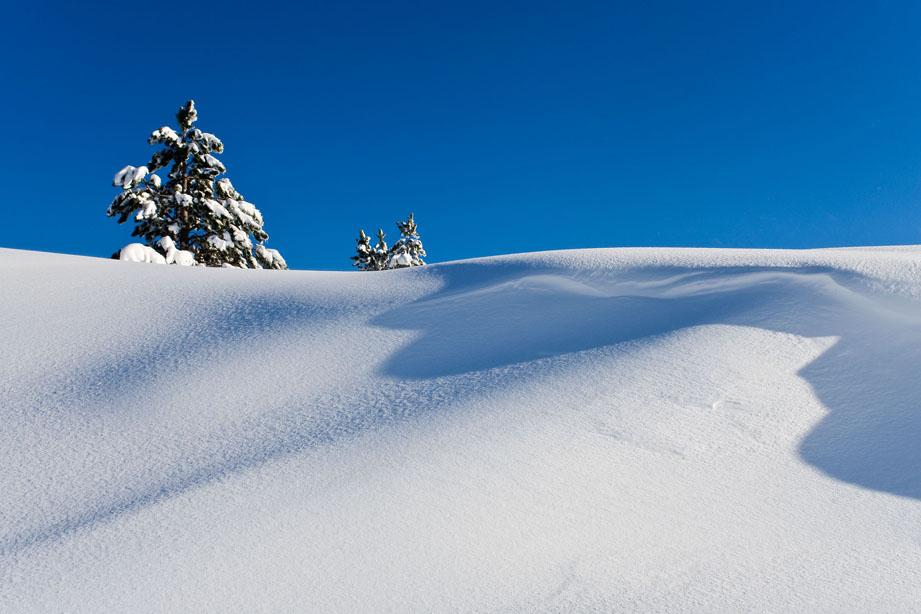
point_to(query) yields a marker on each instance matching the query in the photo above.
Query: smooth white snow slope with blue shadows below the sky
(630, 430)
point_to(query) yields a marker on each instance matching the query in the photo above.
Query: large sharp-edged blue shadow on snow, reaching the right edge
(871, 436)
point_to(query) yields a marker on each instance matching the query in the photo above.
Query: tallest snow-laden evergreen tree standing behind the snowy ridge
(192, 218)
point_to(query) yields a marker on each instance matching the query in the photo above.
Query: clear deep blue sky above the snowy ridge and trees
(505, 126)
